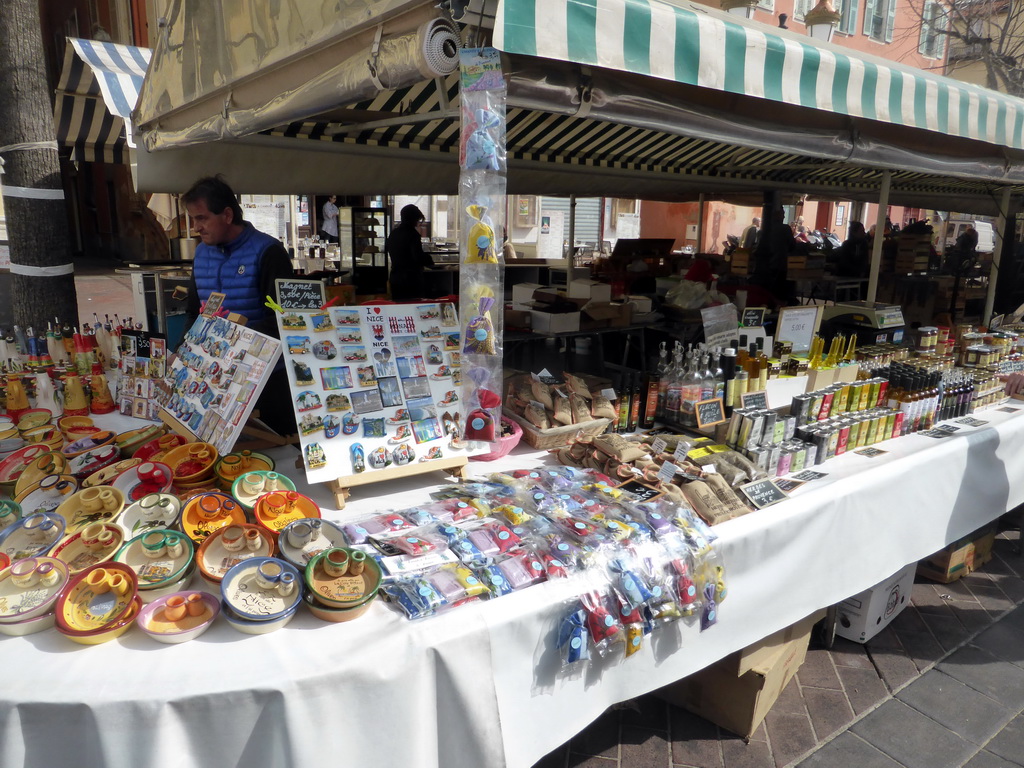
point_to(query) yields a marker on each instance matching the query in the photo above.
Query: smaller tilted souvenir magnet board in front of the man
(219, 374)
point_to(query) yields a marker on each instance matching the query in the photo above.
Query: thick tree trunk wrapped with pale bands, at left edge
(37, 222)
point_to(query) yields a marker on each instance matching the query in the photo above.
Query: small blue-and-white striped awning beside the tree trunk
(99, 89)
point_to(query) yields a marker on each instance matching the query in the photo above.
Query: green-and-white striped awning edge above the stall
(696, 46)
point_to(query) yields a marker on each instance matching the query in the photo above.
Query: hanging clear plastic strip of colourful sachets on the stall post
(482, 190)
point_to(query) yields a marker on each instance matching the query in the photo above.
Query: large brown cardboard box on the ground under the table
(738, 693)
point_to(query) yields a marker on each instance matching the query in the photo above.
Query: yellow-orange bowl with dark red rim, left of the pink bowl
(97, 599)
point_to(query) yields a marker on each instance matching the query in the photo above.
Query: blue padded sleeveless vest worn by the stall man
(234, 271)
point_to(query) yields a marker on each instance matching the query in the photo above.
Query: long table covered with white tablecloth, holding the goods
(480, 687)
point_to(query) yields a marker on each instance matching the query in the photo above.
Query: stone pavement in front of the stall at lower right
(942, 688)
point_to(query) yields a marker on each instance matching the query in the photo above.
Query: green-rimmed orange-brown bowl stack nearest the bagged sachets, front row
(342, 584)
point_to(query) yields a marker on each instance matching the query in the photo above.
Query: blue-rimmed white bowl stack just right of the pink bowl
(261, 595)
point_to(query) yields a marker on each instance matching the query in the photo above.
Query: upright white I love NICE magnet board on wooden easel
(375, 392)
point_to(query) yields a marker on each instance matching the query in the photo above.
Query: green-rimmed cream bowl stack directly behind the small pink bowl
(163, 561)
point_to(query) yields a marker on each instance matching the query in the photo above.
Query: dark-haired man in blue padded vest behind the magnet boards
(243, 264)
